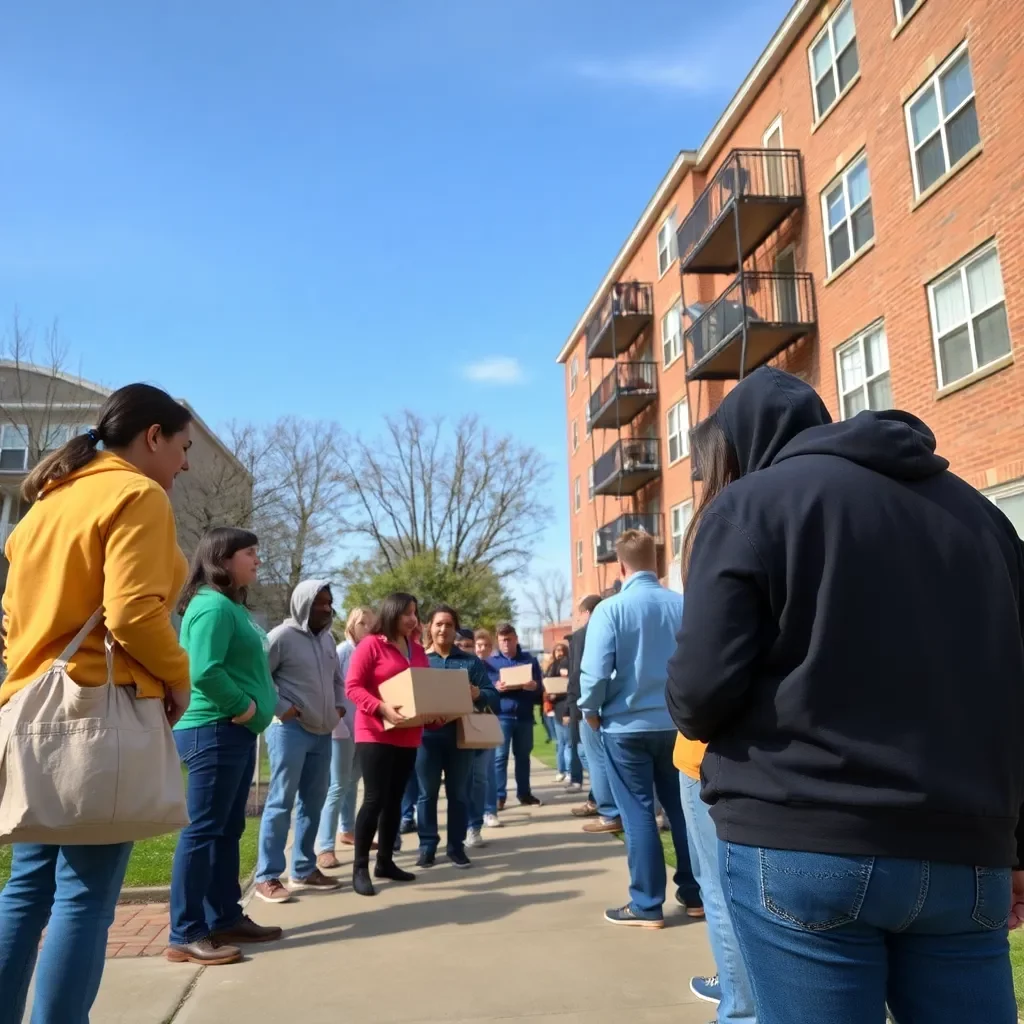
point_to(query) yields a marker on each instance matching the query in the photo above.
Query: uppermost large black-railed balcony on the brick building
(764, 187)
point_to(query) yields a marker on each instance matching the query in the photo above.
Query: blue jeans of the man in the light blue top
(641, 766)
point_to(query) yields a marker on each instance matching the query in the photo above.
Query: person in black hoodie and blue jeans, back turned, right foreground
(851, 651)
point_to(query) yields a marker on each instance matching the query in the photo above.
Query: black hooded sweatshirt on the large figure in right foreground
(851, 646)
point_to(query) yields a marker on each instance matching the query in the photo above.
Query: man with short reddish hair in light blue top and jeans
(630, 638)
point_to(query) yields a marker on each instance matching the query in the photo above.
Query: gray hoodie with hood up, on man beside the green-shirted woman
(305, 666)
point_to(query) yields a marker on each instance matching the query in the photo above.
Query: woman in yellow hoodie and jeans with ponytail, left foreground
(101, 533)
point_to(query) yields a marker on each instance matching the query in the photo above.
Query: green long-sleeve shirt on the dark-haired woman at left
(228, 663)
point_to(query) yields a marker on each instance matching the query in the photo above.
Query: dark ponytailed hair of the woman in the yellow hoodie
(126, 414)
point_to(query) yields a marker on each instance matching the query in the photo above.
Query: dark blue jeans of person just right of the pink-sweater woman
(440, 753)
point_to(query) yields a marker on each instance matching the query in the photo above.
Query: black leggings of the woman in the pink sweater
(386, 773)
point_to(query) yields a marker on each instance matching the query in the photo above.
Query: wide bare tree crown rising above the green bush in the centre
(472, 498)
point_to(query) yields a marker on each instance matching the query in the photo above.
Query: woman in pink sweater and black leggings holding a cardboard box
(387, 758)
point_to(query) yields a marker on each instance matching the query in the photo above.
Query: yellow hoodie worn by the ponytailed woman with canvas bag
(104, 536)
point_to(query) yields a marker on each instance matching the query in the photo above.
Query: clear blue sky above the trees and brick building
(301, 214)
